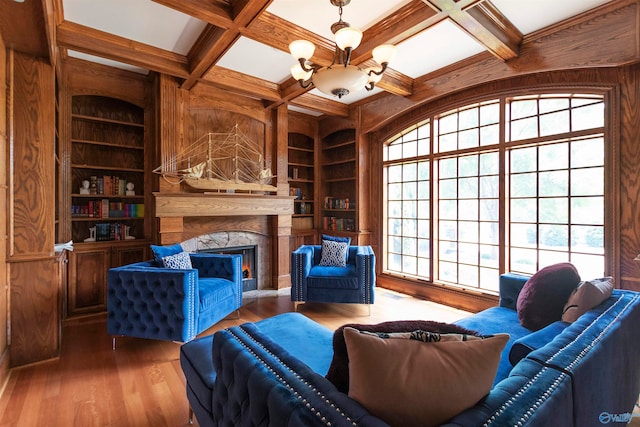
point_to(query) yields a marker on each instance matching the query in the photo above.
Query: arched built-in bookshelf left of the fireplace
(107, 169)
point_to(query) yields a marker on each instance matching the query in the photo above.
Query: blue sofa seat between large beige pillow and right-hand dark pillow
(497, 320)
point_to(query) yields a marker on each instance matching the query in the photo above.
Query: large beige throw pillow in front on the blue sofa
(413, 383)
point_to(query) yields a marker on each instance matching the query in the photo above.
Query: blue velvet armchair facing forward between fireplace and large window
(312, 282)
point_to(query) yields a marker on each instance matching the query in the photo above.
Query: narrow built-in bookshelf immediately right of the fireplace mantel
(301, 170)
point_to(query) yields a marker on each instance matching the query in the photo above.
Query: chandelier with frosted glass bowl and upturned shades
(340, 78)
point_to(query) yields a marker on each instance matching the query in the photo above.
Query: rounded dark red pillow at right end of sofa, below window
(544, 295)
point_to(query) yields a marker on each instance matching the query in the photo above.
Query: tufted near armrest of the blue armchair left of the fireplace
(152, 302)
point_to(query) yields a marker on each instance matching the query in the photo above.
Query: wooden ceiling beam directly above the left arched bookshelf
(94, 42)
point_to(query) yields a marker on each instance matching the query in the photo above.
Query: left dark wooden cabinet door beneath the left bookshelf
(88, 280)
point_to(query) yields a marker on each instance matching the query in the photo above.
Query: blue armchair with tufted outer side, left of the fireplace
(148, 301)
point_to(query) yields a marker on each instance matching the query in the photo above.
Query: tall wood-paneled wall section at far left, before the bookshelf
(33, 268)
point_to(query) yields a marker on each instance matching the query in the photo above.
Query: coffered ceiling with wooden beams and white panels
(242, 45)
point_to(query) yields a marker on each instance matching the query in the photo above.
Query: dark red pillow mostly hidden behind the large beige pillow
(338, 372)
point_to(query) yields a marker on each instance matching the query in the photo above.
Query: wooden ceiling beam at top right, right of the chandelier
(484, 22)
